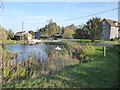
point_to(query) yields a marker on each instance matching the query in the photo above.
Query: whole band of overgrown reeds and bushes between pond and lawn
(71, 54)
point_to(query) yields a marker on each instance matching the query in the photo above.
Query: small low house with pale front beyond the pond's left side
(22, 36)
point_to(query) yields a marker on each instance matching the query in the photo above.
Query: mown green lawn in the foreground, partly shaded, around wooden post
(102, 72)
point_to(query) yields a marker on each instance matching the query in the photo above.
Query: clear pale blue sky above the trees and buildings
(35, 15)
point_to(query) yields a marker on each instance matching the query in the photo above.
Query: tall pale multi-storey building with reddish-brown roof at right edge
(110, 29)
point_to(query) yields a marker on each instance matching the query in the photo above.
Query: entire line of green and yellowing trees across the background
(91, 30)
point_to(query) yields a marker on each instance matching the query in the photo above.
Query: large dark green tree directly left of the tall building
(93, 28)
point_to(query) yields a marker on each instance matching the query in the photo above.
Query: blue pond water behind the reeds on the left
(38, 51)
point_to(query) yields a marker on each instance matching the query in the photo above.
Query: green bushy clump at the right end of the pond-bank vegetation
(81, 52)
